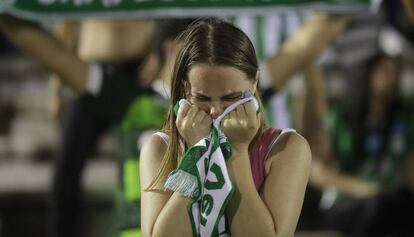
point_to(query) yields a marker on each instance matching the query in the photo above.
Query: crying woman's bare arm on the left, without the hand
(162, 213)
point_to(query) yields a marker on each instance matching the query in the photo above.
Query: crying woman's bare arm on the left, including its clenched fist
(165, 213)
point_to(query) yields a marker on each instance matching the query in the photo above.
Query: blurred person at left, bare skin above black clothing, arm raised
(103, 96)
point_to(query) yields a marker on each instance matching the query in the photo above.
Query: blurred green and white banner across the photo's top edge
(121, 9)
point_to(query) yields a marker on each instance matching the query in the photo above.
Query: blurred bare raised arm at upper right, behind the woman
(304, 46)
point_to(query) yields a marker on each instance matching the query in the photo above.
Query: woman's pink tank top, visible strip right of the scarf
(258, 155)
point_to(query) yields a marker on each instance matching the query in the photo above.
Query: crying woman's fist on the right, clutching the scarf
(240, 126)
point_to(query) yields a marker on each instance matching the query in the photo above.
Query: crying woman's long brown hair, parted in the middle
(209, 41)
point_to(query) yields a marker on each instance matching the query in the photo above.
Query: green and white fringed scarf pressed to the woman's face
(202, 175)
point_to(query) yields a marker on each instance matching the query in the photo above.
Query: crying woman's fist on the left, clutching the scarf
(192, 123)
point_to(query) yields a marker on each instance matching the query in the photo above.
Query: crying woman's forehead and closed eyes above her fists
(214, 88)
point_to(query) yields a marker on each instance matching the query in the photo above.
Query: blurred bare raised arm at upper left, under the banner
(41, 46)
